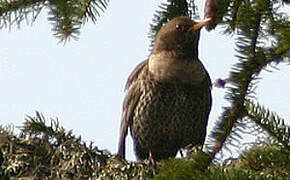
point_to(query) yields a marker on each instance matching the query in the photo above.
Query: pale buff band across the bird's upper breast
(166, 67)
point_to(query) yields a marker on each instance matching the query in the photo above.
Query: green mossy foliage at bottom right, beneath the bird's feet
(259, 162)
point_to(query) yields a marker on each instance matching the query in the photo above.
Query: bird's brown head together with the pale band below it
(175, 52)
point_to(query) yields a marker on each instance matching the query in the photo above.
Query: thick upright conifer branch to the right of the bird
(252, 58)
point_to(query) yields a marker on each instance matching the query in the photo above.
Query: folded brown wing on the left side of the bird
(130, 101)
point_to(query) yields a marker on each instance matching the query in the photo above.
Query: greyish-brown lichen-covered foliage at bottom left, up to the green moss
(48, 151)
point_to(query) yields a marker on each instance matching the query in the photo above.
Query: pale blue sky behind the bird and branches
(82, 82)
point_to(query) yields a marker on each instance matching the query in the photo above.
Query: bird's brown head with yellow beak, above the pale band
(180, 35)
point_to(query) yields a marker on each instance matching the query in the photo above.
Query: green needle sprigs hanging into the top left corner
(66, 16)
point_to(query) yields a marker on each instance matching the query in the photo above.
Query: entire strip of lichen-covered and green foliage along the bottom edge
(45, 150)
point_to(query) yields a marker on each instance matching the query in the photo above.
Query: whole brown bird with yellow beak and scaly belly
(168, 96)
